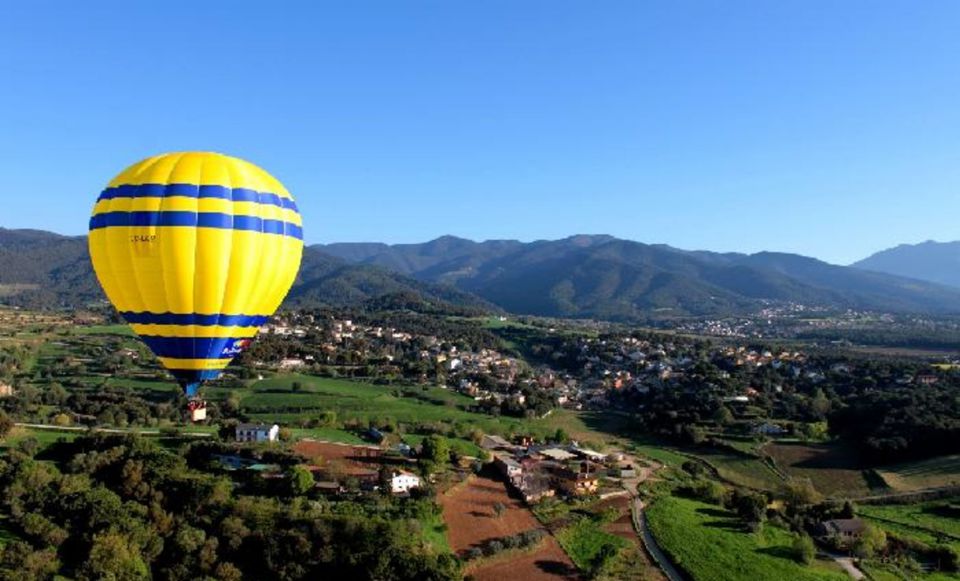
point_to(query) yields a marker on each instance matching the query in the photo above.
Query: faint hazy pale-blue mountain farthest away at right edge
(931, 261)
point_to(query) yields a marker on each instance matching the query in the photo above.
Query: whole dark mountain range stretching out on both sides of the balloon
(598, 277)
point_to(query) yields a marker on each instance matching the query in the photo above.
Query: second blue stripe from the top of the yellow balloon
(198, 220)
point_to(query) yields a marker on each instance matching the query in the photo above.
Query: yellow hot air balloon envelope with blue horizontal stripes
(195, 250)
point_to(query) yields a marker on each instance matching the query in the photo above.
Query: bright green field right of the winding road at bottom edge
(709, 543)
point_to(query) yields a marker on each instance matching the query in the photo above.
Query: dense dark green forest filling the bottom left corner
(114, 507)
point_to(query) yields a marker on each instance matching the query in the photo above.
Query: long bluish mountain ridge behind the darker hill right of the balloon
(609, 278)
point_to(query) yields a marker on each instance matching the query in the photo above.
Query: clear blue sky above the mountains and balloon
(825, 128)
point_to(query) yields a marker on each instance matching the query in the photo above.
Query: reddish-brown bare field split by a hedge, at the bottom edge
(468, 512)
